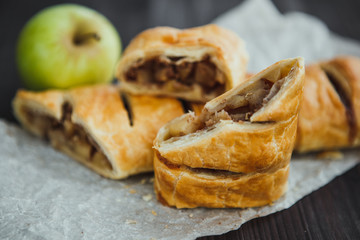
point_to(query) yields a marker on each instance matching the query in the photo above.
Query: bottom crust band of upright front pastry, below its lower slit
(188, 188)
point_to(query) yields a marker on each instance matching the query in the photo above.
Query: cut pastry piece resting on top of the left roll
(195, 64)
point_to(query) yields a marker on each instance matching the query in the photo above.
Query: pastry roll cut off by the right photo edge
(329, 117)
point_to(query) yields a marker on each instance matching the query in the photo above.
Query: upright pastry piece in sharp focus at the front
(236, 153)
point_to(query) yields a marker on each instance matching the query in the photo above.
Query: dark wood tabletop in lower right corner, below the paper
(332, 212)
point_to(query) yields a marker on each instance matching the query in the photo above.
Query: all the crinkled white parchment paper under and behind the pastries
(46, 195)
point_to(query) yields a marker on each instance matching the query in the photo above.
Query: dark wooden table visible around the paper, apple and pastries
(333, 212)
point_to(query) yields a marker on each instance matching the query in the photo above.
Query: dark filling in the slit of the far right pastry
(345, 99)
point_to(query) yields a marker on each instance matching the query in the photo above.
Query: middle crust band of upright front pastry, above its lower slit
(219, 147)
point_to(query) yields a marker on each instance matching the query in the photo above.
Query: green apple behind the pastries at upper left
(50, 54)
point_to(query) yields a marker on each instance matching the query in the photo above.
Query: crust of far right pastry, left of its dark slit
(322, 117)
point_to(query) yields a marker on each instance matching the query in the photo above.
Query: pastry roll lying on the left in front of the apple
(108, 132)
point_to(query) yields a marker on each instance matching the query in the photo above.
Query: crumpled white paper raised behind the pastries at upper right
(271, 36)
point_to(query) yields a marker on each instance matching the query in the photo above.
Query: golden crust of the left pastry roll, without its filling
(100, 111)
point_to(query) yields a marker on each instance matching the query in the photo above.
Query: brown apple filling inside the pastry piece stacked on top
(178, 74)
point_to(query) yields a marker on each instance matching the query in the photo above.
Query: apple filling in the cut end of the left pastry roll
(68, 137)
